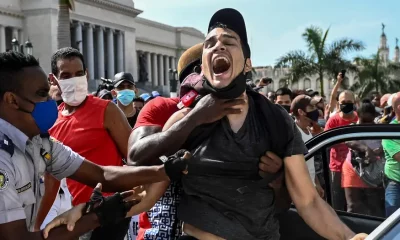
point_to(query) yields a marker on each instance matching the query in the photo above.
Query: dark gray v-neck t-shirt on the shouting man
(224, 163)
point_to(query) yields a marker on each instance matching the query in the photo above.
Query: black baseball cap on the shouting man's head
(233, 20)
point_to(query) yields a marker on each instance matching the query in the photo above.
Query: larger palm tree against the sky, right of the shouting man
(321, 58)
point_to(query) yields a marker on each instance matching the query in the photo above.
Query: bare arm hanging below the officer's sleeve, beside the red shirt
(51, 186)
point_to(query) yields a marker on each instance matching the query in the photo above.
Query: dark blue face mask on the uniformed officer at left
(44, 113)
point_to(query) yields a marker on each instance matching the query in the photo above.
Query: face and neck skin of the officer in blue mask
(34, 88)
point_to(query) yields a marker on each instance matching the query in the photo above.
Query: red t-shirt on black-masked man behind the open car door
(339, 151)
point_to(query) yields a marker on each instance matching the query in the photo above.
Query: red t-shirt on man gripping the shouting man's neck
(154, 113)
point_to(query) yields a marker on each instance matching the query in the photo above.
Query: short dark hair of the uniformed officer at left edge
(11, 63)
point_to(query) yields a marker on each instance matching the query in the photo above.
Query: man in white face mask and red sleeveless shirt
(95, 128)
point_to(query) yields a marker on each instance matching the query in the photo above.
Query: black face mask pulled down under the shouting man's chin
(236, 88)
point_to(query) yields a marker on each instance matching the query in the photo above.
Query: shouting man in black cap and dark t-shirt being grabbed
(222, 195)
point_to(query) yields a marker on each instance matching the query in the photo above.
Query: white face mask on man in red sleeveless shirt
(74, 90)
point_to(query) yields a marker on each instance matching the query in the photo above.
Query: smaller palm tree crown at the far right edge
(375, 76)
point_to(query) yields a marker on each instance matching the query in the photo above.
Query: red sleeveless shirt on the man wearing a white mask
(84, 132)
